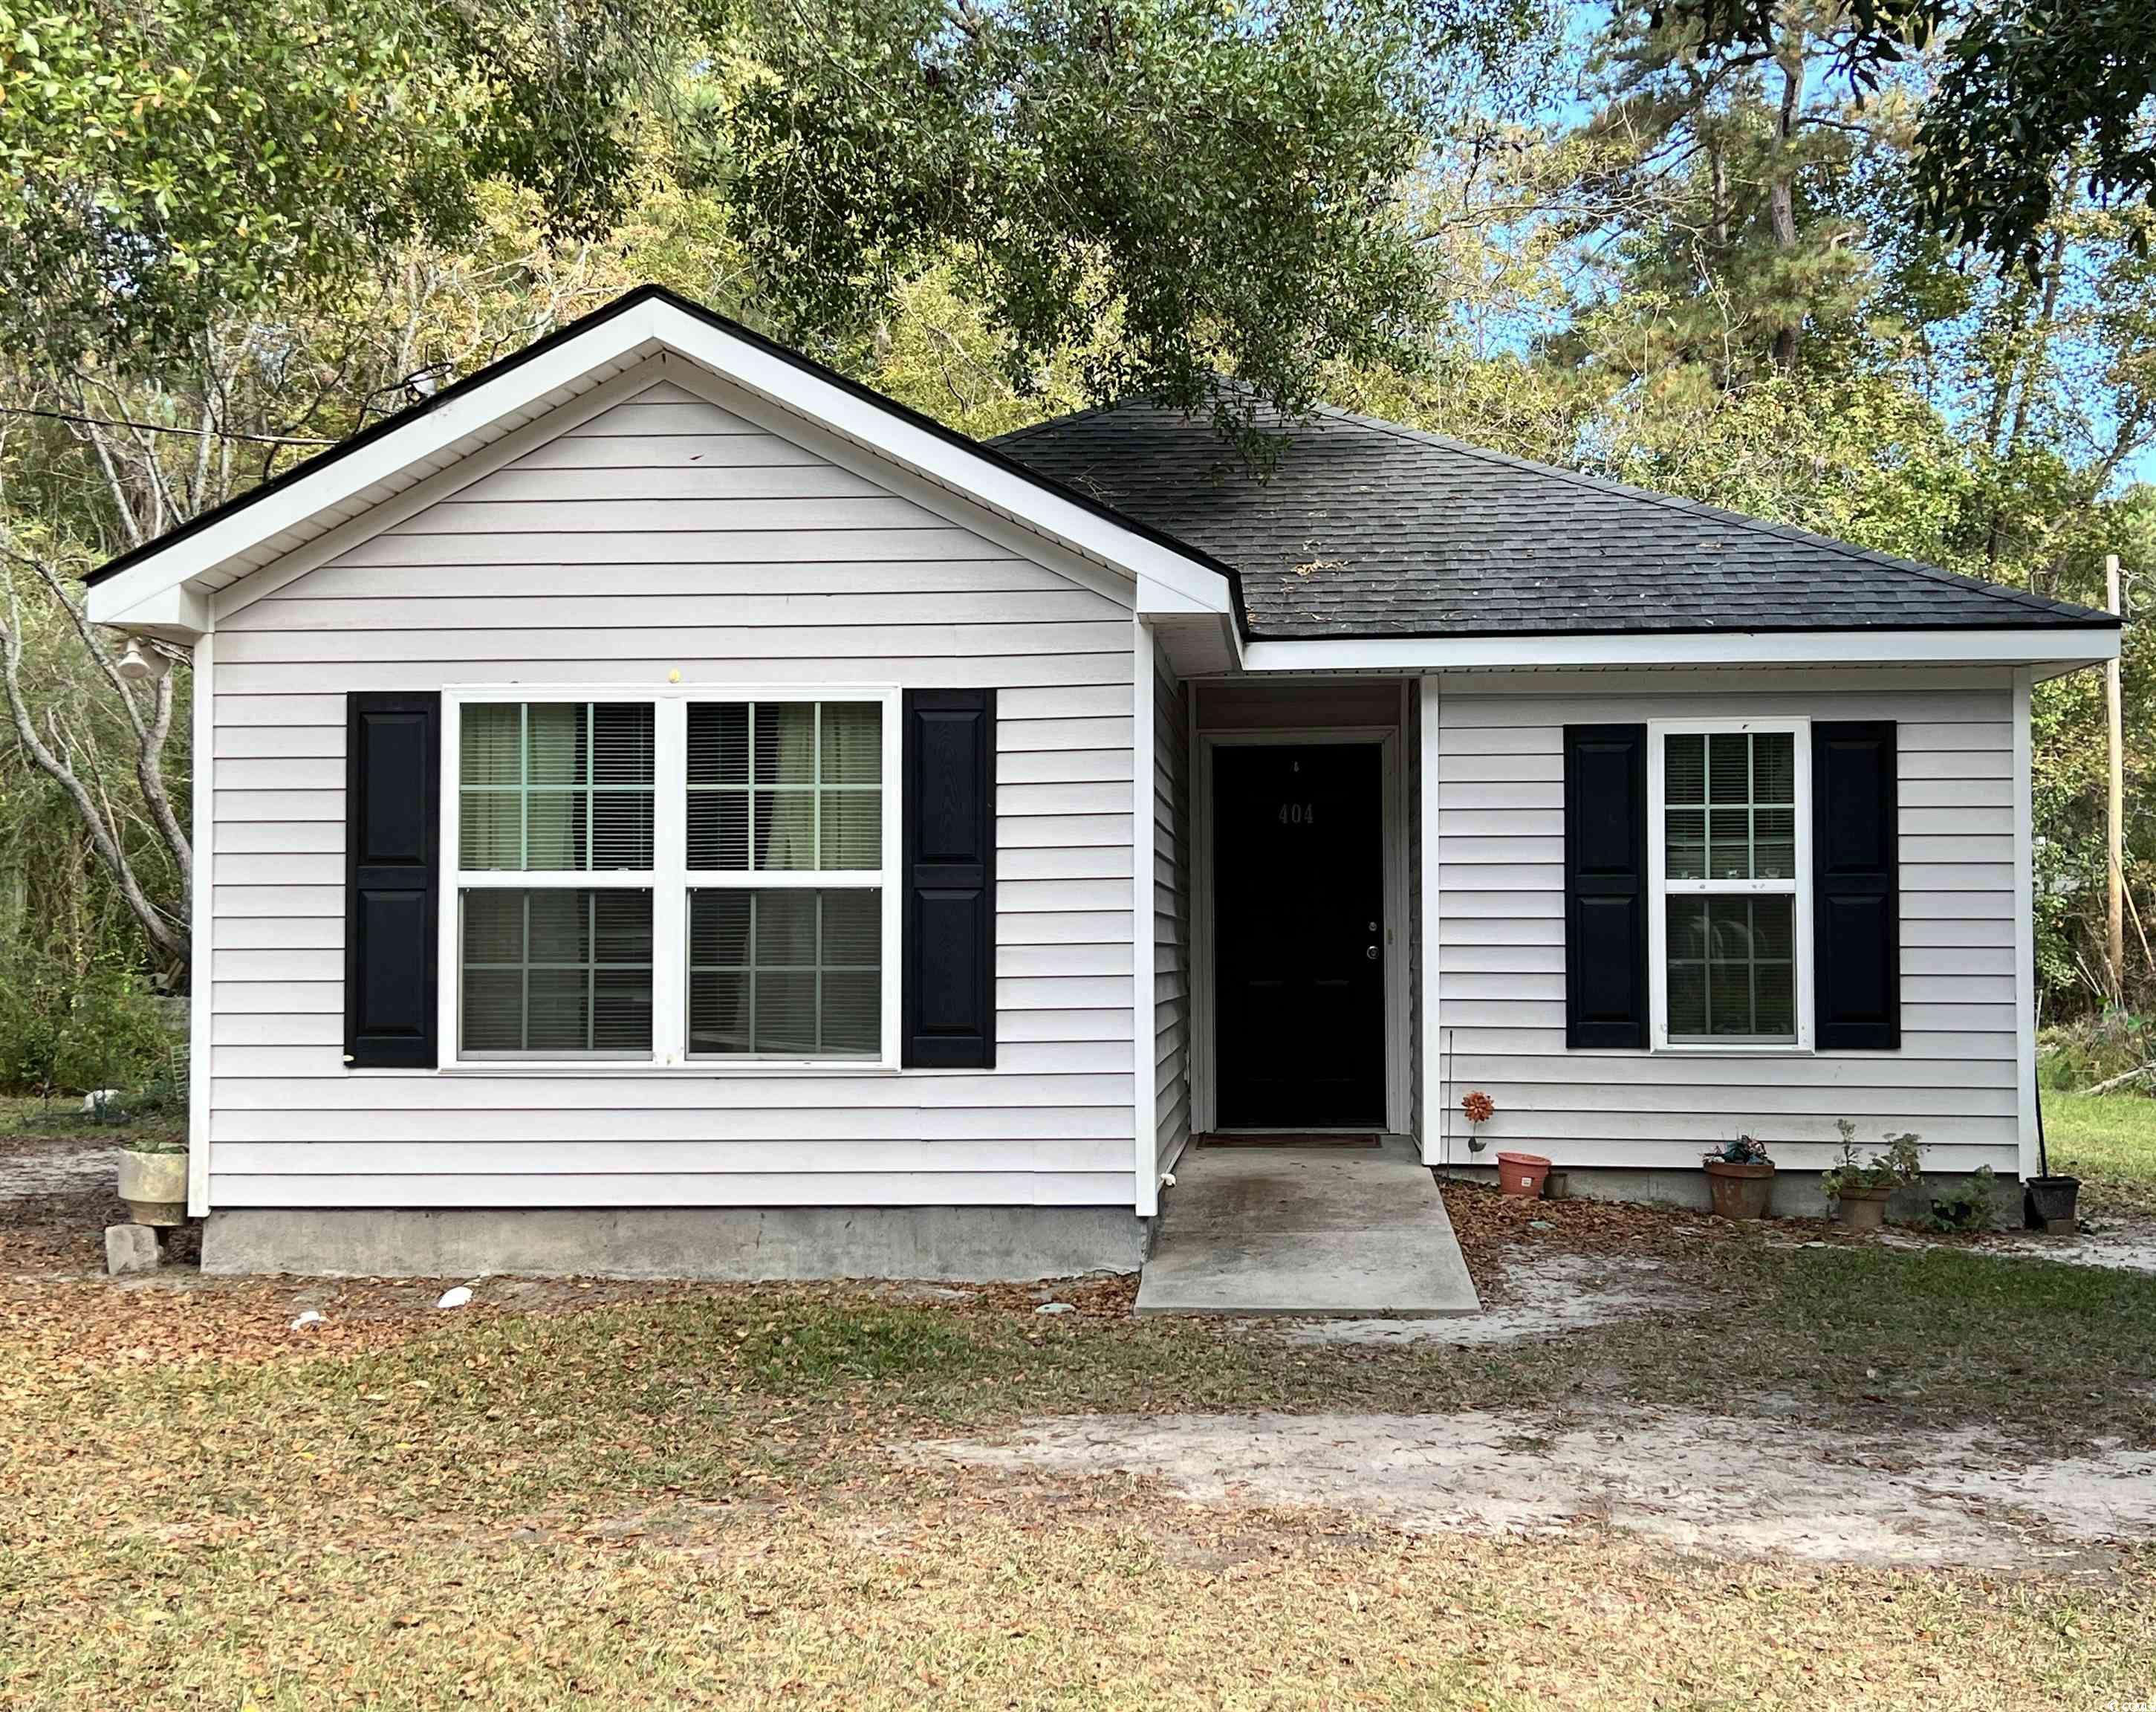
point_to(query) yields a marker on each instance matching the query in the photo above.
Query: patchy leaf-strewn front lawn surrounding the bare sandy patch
(682, 1495)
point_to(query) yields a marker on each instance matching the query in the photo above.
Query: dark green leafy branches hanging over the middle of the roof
(1219, 180)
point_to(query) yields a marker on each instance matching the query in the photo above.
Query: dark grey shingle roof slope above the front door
(1370, 529)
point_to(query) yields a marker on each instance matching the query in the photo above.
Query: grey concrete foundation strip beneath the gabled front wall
(967, 1245)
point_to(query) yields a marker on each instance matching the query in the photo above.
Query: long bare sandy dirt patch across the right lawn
(1700, 1482)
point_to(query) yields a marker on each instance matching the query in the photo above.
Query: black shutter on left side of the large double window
(393, 876)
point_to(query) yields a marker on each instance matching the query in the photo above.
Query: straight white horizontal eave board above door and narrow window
(2051, 650)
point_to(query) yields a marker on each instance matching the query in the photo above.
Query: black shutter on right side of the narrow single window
(1855, 887)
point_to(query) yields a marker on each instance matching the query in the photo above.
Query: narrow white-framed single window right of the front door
(1730, 840)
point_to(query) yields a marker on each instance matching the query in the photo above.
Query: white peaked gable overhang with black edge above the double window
(169, 585)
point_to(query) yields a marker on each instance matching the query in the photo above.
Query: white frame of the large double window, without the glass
(669, 881)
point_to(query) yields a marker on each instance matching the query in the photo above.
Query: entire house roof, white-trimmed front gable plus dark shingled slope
(1364, 531)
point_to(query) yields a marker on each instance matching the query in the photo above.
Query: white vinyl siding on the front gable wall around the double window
(674, 536)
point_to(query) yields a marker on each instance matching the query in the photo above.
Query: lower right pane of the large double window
(786, 974)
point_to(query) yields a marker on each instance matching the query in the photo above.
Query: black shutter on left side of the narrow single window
(1605, 885)
